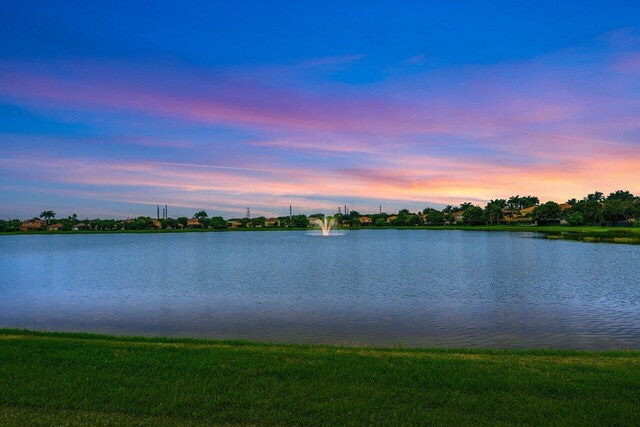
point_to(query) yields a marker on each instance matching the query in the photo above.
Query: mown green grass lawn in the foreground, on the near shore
(81, 379)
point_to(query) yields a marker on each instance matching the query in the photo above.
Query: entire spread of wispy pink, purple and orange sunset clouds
(558, 125)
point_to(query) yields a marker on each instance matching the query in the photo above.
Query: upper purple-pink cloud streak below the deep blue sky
(220, 98)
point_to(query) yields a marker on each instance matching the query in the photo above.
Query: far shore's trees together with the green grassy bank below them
(596, 216)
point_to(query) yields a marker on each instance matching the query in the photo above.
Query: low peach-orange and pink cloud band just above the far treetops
(206, 185)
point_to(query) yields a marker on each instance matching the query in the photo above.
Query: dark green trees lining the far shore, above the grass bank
(620, 208)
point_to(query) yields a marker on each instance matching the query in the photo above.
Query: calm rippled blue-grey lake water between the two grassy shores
(378, 287)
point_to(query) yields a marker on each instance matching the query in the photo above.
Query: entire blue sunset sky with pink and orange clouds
(109, 108)
